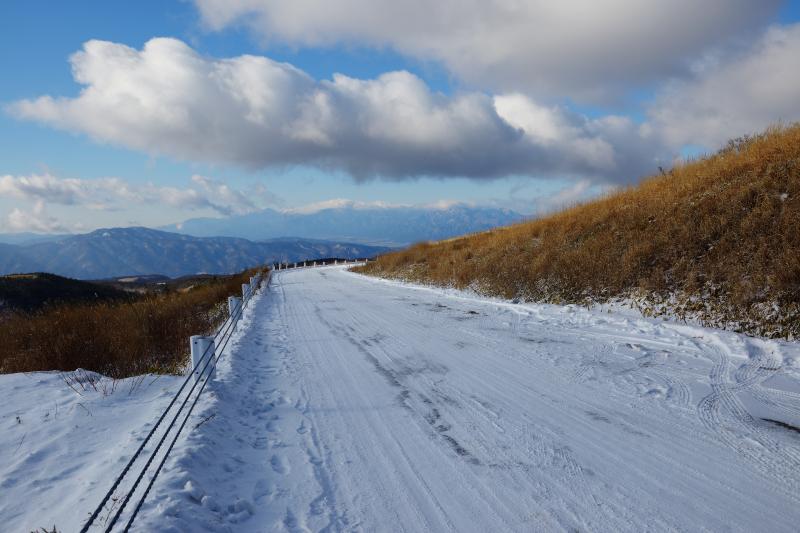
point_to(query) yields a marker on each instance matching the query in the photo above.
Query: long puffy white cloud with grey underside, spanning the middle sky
(255, 112)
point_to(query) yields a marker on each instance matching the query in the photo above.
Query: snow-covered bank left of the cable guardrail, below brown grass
(62, 441)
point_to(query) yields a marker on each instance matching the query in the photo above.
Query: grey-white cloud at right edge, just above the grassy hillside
(734, 96)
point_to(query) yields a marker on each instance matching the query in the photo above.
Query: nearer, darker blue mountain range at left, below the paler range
(108, 253)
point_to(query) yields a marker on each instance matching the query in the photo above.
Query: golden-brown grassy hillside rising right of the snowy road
(717, 239)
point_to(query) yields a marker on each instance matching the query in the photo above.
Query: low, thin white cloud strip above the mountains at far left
(116, 194)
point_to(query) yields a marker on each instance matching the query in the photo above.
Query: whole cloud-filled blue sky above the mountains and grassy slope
(152, 112)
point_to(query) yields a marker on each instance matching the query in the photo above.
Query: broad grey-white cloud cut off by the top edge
(580, 49)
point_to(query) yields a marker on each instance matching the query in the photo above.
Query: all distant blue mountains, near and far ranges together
(225, 245)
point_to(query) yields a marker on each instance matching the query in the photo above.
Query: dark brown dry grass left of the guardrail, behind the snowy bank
(117, 339)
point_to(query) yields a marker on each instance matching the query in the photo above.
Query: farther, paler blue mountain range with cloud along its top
(389, 226)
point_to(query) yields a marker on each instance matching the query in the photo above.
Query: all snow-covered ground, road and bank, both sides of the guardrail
(353, 404)
